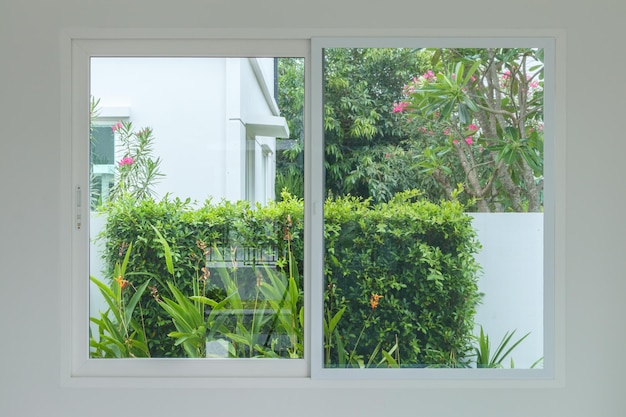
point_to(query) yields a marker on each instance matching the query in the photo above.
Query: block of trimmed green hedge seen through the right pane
(416, 255)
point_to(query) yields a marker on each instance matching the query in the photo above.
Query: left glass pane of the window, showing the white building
(197, 207)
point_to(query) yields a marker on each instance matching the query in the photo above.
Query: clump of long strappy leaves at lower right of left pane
(199, 319)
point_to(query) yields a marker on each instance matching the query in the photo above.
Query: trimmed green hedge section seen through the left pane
(190, 232)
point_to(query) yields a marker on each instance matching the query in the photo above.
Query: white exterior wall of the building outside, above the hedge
(197, 108)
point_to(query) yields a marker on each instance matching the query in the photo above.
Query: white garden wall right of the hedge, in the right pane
(512, 281)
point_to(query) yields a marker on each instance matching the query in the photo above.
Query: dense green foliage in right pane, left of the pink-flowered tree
(361, 86)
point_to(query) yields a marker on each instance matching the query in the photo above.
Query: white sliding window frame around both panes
(79, 370)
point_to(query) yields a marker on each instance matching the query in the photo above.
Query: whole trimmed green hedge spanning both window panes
(418, 255)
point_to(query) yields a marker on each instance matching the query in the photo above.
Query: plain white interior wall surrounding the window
(594, 283)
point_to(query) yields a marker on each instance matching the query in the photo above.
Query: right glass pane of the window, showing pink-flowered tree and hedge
(433, 221)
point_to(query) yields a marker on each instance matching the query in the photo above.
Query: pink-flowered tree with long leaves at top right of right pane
(483, 112)
